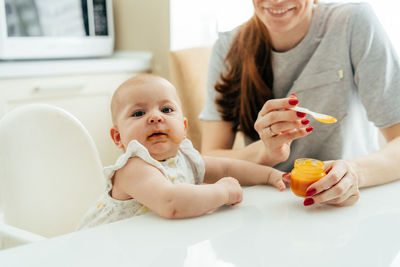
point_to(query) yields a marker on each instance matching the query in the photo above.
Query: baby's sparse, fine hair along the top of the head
(132, 83)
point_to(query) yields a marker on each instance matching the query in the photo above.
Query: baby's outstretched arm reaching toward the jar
(247, 173)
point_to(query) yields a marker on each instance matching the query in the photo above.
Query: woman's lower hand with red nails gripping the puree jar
(339, 187)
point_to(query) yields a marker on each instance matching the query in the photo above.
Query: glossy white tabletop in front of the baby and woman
(269, 228)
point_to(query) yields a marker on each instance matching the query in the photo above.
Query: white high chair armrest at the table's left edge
(11, 236)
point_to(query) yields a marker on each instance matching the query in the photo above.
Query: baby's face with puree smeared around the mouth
(151, 114)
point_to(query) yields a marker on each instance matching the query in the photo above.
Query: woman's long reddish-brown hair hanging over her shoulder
(248, 81)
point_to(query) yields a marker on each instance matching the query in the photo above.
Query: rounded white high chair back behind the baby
(50, 170)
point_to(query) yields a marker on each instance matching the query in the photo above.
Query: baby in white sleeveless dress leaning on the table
(160, 170)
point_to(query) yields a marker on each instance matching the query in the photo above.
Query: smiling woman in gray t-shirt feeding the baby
(333, 58)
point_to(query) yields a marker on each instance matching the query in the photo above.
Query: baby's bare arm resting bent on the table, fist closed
(148, 185)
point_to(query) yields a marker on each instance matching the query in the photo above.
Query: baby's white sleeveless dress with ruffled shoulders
(186, 167)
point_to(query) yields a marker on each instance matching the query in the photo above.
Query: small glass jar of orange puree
(305, 172)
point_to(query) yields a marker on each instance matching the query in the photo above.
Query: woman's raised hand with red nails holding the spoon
(278, 127)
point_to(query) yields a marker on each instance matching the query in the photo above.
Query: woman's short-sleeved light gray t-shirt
(345, 67)
